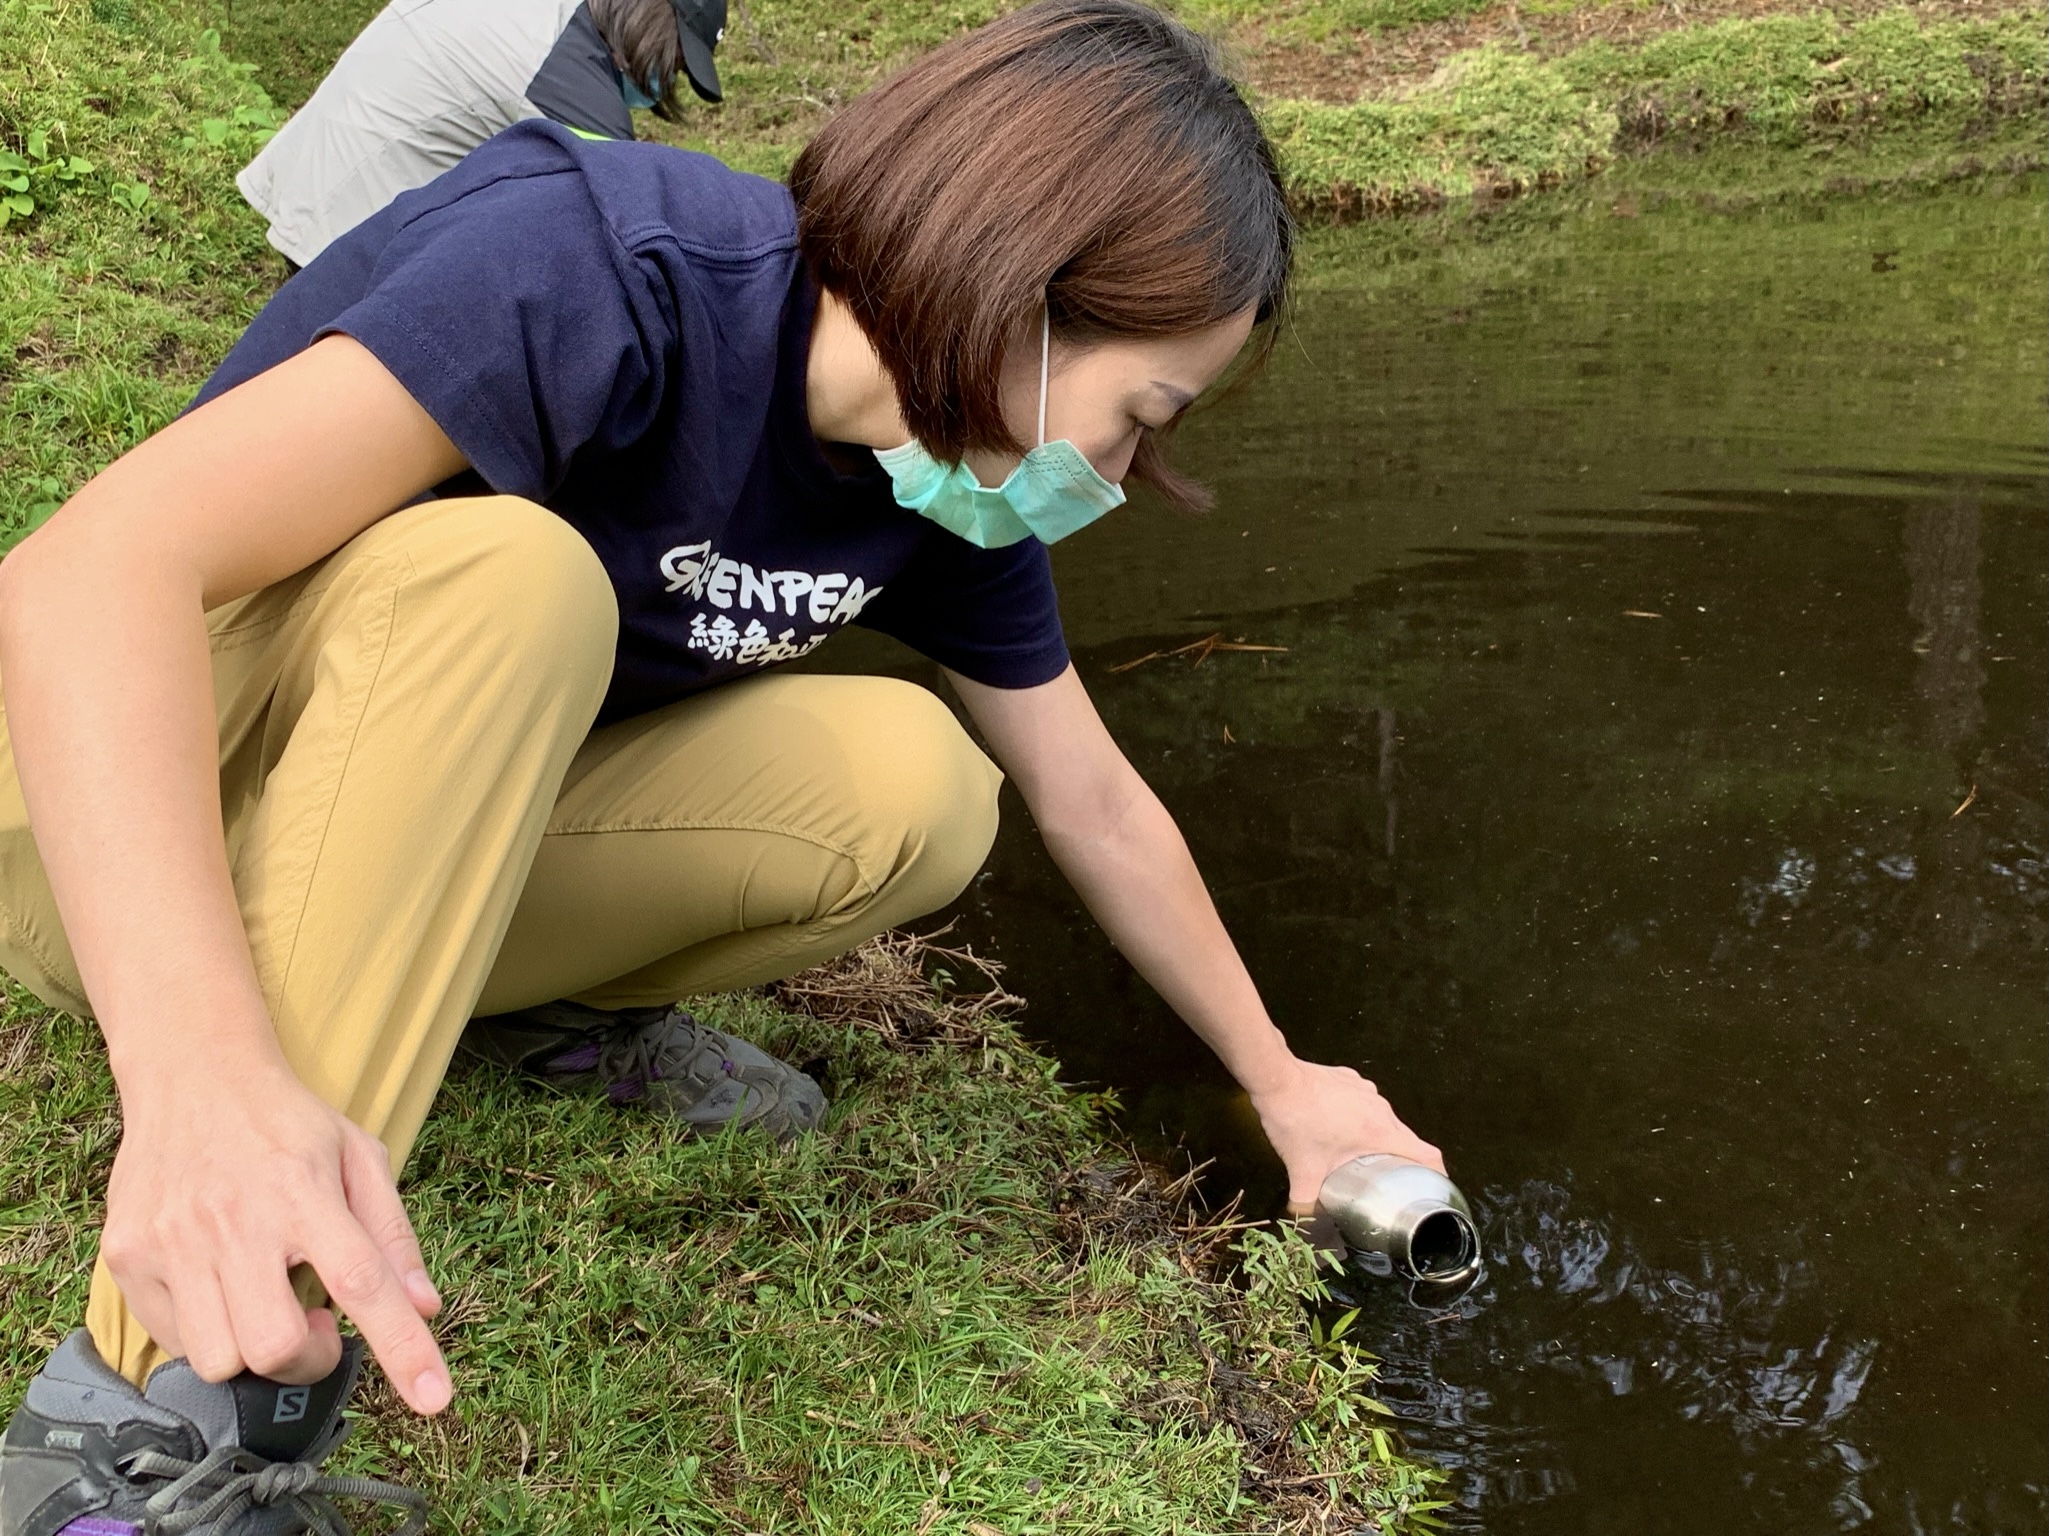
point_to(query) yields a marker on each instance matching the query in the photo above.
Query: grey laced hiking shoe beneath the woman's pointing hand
(87, 1455)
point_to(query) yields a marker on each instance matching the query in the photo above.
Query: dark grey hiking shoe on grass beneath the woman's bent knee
(659, 1058)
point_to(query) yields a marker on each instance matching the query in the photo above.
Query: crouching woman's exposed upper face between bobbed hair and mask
(1105, 394)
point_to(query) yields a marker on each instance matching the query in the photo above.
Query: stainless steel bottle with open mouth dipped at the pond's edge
(1405, 1220)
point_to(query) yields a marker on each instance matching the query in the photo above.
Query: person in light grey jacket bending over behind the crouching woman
(429, 81)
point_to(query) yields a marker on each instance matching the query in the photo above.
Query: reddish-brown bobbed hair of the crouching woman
(1089, 155)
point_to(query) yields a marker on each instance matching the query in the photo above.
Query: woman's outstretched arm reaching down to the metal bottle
(1128, 861)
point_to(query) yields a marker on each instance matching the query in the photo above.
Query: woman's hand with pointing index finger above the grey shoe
(226, 1181)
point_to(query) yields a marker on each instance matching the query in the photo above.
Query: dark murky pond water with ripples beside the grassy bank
(1653, 800)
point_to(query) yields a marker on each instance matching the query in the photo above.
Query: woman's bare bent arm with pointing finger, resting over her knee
(231, 1170)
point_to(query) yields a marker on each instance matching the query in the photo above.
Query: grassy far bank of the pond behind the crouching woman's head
(1505, 116)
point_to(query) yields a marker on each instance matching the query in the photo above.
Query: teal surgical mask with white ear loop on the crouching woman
(1050, 495)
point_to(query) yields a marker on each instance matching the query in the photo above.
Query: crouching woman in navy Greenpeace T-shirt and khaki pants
(425, 673)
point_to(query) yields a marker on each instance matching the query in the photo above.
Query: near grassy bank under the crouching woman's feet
(958, 1312)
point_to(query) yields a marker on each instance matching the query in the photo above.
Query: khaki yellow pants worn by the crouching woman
(423, 826)
